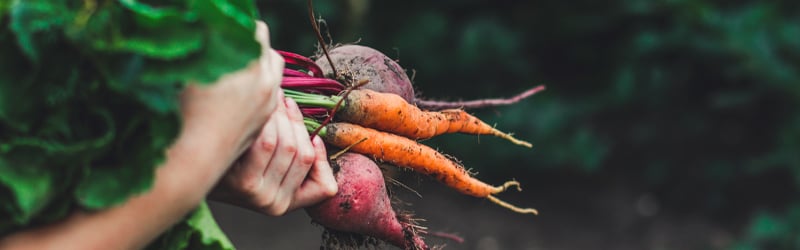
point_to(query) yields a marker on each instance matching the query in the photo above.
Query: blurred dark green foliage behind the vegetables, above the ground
(691, 106)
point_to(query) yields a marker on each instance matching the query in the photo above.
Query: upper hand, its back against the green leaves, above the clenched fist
(229, 113)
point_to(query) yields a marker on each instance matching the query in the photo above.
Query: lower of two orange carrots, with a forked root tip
(404, 152)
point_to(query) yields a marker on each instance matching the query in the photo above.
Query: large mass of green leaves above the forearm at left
(89, 95)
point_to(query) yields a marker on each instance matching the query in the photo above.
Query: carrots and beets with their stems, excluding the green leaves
(361, 102)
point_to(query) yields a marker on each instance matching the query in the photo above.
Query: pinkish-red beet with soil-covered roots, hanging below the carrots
(362, 205)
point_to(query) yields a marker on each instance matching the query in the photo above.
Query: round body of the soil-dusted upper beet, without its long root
(356, 62)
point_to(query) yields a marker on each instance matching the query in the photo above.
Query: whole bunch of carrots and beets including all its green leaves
(89, 103)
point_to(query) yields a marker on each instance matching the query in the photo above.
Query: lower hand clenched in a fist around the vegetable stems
(283, 170)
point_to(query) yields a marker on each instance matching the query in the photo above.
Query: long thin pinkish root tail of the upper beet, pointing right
(440, 105)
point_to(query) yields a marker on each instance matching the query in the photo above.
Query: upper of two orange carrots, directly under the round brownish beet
(391, 113)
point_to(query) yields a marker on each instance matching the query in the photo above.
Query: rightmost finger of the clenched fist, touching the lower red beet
(320, 183)
